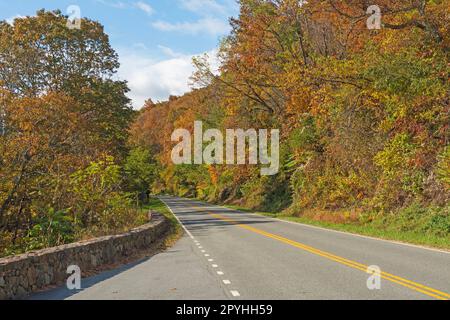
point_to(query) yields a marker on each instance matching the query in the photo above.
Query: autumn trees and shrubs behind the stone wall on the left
(63, 138)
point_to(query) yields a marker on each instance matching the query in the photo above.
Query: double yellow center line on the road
(387, 276)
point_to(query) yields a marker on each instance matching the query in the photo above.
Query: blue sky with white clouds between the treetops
(155, 39)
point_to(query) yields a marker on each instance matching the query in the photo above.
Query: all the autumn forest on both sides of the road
(363, 116)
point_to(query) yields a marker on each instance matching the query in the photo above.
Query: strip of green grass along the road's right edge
(374, 229)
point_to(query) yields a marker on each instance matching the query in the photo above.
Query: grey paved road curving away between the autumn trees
(227, 254)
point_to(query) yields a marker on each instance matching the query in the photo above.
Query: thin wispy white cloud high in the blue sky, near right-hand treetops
(212, 26)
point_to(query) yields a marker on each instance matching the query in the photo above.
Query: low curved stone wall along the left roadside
(23, 274)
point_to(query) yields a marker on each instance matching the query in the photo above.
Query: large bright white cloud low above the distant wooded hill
(148, 78)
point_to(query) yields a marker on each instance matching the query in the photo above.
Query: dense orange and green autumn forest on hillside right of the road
(363, 114)
